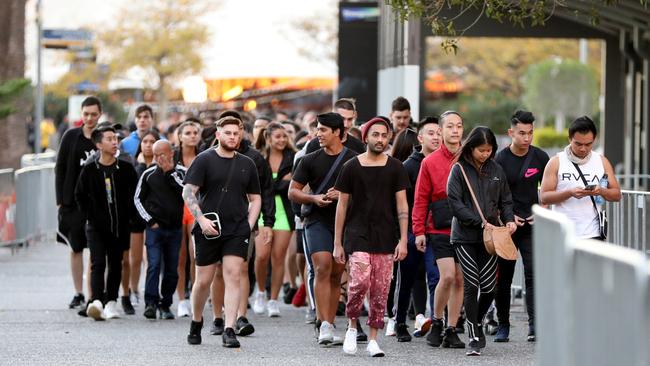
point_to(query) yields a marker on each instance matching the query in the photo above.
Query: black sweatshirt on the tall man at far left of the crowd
(74, 151)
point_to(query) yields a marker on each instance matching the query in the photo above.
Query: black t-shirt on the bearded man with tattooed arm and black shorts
(209, 171)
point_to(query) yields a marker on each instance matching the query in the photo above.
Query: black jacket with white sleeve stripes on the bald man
(159, 197)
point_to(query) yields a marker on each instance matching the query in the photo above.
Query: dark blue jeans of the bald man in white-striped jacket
(163, 246)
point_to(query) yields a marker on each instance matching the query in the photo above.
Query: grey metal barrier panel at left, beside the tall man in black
(36, 212)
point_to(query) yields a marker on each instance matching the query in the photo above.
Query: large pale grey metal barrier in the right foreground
(591, 298)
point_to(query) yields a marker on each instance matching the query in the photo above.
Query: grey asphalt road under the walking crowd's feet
(36, 328)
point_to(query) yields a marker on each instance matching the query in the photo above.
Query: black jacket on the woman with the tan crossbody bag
(492, 192)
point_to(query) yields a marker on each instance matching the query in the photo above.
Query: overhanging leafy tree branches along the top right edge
(522, 13)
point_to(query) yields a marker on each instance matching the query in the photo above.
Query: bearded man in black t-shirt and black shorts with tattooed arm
(222, 191)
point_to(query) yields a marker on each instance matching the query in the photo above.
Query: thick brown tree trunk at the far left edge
(13, 130)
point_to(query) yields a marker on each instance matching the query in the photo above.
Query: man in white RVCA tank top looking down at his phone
(564, 188)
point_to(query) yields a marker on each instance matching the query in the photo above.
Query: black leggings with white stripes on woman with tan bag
(479, 274)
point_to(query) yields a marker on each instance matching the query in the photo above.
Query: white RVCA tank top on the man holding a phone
(580, 211)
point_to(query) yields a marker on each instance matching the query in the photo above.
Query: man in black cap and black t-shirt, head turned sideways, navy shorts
(313, 169)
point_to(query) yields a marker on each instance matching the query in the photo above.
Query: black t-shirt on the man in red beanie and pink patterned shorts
(371, 222)
